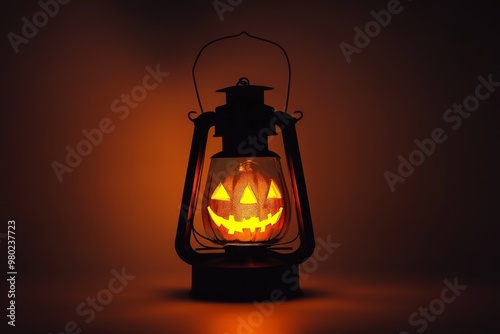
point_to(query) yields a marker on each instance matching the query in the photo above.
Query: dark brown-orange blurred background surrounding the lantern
(119, 207)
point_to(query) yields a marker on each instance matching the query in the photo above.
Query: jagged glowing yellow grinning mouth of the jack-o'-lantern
(251, 223)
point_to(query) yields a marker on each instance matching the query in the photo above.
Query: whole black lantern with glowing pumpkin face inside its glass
(244, 251)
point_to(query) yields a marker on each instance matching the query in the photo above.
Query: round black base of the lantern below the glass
(239, 276)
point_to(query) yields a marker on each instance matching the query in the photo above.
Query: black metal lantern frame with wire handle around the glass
(243, 272)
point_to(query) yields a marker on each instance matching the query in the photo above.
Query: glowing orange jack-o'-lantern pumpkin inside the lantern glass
(246, 201)
